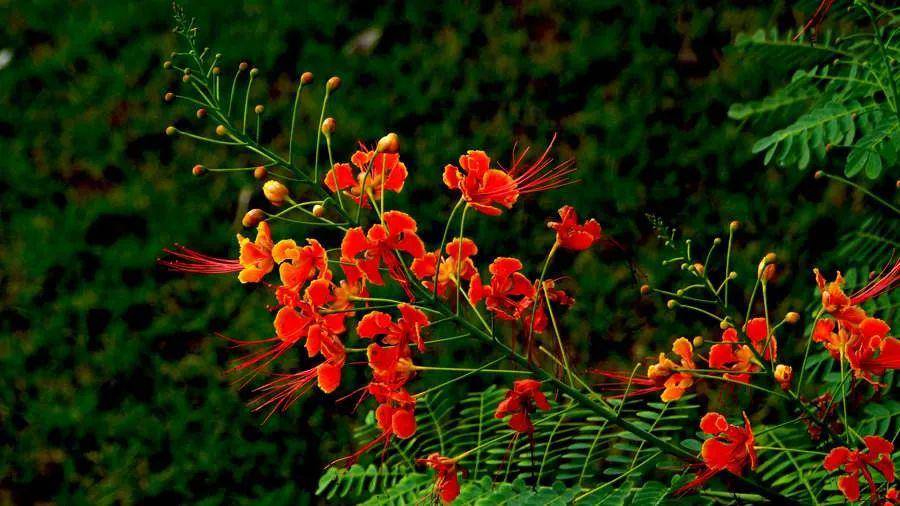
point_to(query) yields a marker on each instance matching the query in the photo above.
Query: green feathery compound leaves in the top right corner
(841, 98)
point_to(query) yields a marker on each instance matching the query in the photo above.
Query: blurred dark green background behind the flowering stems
(113, 388)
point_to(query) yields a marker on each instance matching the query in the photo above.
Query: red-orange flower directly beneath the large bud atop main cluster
(371, 175)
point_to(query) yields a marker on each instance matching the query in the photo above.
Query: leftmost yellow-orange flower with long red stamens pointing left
(254, 262)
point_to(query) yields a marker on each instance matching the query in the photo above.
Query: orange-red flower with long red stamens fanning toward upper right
(486, 190)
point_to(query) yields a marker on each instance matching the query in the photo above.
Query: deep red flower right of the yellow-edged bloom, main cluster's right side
(509, 292)
